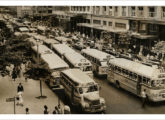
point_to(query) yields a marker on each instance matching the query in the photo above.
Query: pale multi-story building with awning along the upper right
(144, 23)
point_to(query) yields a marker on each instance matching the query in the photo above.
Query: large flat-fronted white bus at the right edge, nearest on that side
(135, 77)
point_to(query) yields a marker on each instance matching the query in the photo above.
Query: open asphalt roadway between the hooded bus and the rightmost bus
(119, 101)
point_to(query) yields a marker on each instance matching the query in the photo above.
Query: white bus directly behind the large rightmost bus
(98, 59)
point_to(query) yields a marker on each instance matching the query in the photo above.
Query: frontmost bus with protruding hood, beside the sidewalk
(82, 91)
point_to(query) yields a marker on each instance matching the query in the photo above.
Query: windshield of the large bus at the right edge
(157, 84)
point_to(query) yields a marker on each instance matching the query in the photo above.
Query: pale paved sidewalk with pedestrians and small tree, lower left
(8, 89)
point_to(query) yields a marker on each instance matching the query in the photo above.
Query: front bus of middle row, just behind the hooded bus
(76, 60)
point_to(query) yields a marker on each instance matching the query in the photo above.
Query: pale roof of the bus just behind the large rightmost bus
(102, 56)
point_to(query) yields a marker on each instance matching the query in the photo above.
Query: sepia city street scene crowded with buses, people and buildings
(82, 60)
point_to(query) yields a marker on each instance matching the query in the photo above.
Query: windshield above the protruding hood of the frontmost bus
(91, 88)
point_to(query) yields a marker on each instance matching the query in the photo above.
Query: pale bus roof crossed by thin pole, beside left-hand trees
(42, 49)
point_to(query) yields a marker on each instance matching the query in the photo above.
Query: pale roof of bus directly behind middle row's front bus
(62, 48)
